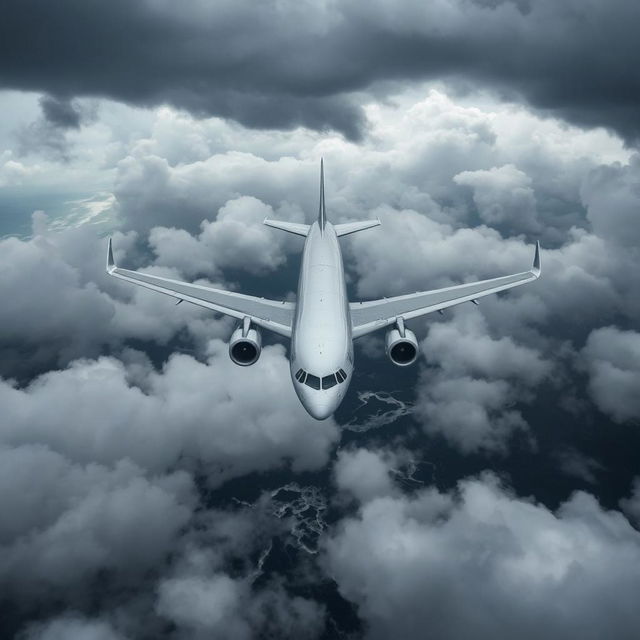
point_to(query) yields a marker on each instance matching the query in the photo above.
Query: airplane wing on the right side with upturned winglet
(376, 314)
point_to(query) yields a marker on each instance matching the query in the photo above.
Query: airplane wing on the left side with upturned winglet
(269, 314)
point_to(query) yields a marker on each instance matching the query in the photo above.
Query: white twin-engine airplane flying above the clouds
(322, 323)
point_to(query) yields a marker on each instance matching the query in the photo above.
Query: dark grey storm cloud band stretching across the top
(290, 63)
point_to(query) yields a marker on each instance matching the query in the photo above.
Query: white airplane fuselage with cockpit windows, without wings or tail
(321, 343)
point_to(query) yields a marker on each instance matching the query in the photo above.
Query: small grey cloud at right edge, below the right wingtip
(612, 360)
